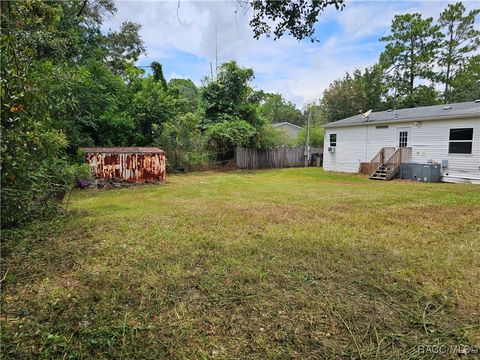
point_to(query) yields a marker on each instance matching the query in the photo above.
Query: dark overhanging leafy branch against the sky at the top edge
(297, 18)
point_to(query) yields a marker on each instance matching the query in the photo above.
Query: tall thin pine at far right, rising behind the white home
(460, 38)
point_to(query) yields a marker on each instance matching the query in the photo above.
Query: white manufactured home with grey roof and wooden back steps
(445, 134)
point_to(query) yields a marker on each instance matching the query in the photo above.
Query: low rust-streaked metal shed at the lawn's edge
(133, 164)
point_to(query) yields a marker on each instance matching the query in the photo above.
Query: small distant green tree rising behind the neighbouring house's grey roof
(275, 109)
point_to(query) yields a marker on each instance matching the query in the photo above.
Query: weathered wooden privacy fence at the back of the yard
(273, 158)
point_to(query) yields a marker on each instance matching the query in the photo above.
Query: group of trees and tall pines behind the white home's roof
(425, 62)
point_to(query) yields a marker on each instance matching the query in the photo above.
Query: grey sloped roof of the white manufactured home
(413, 114)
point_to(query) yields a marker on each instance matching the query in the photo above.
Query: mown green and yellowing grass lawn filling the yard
(294, 263)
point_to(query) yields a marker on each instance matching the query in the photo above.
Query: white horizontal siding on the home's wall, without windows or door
(428, 139)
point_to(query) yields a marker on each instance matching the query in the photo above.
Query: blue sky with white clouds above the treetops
(181, 36)
